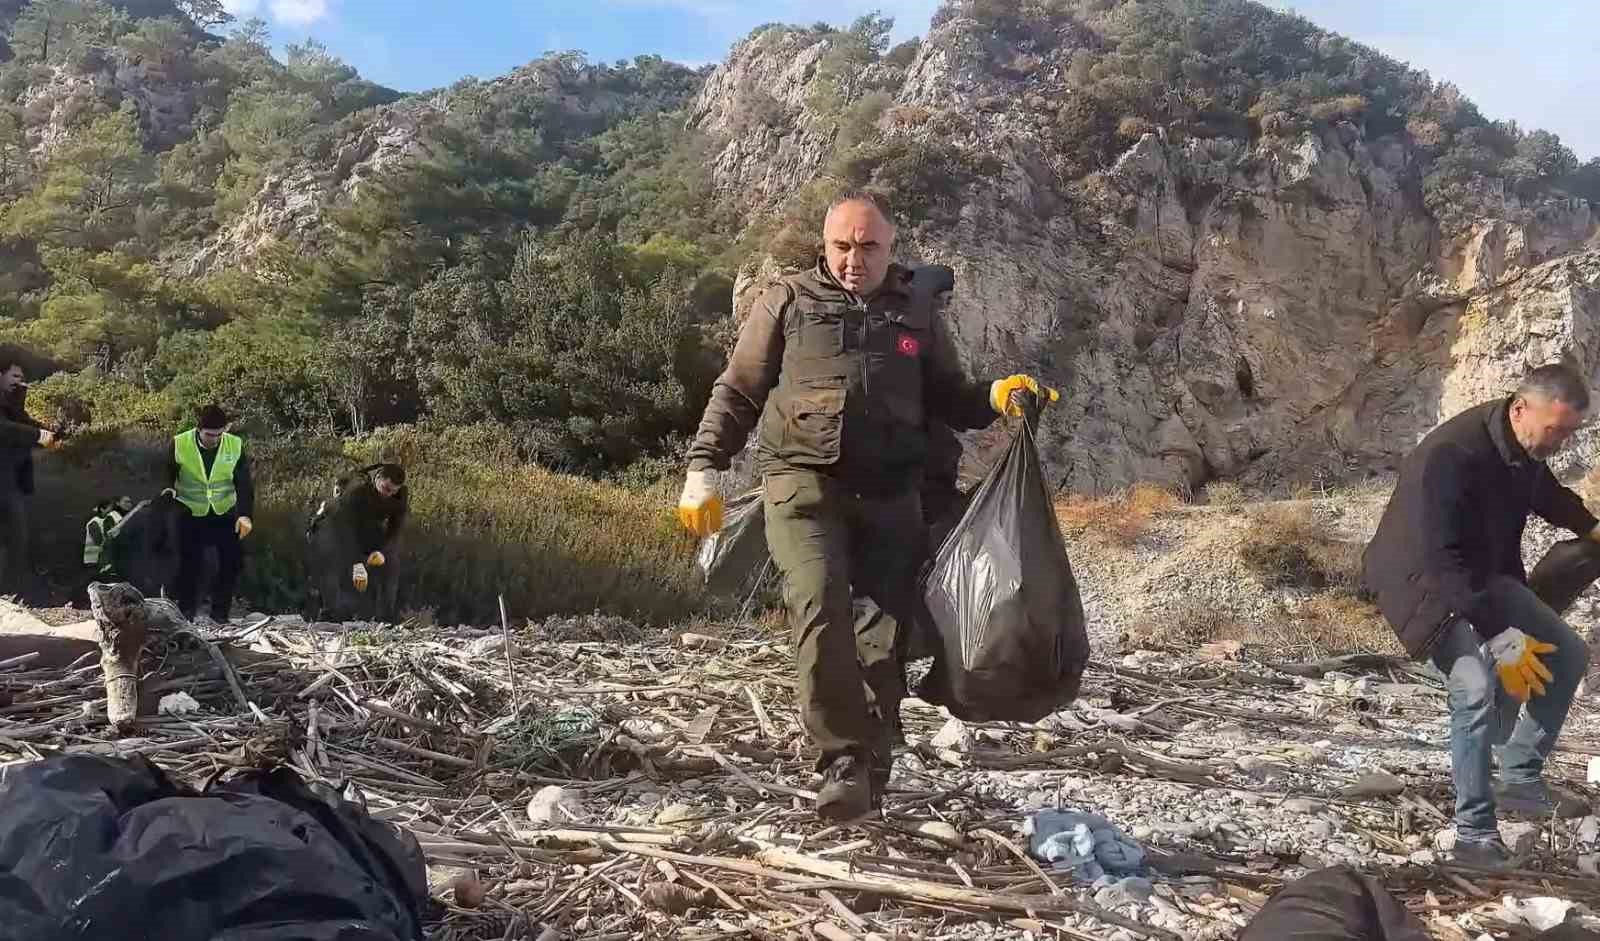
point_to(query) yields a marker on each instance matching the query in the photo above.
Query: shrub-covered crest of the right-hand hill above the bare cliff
(1234, 68)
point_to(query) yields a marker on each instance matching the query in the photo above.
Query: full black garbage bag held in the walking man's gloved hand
(1012, 639)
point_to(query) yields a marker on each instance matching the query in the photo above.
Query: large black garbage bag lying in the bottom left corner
(108, 851)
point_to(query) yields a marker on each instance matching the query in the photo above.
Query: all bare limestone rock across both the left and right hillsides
(1274, 310)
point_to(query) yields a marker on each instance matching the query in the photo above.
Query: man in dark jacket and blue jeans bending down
(1447, 572)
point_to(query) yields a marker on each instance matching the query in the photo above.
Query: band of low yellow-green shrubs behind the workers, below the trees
(481, 526)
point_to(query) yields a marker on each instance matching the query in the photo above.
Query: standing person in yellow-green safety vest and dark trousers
(210, 476)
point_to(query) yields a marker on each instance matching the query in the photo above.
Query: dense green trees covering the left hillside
(540, 263)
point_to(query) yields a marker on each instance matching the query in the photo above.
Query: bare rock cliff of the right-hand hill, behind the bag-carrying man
(1278, 308)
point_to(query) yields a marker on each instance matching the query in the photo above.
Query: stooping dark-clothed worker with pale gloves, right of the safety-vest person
(354, 540)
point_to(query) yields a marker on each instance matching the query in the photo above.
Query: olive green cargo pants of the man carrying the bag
(830, 543)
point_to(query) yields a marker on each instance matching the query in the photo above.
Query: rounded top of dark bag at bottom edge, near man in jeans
(1334, 905)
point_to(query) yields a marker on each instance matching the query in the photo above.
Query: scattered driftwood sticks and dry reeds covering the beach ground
(687, 790)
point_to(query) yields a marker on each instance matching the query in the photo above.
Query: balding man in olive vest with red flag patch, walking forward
(842, 367)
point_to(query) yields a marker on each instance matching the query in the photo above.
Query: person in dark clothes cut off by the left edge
(20, 434)
